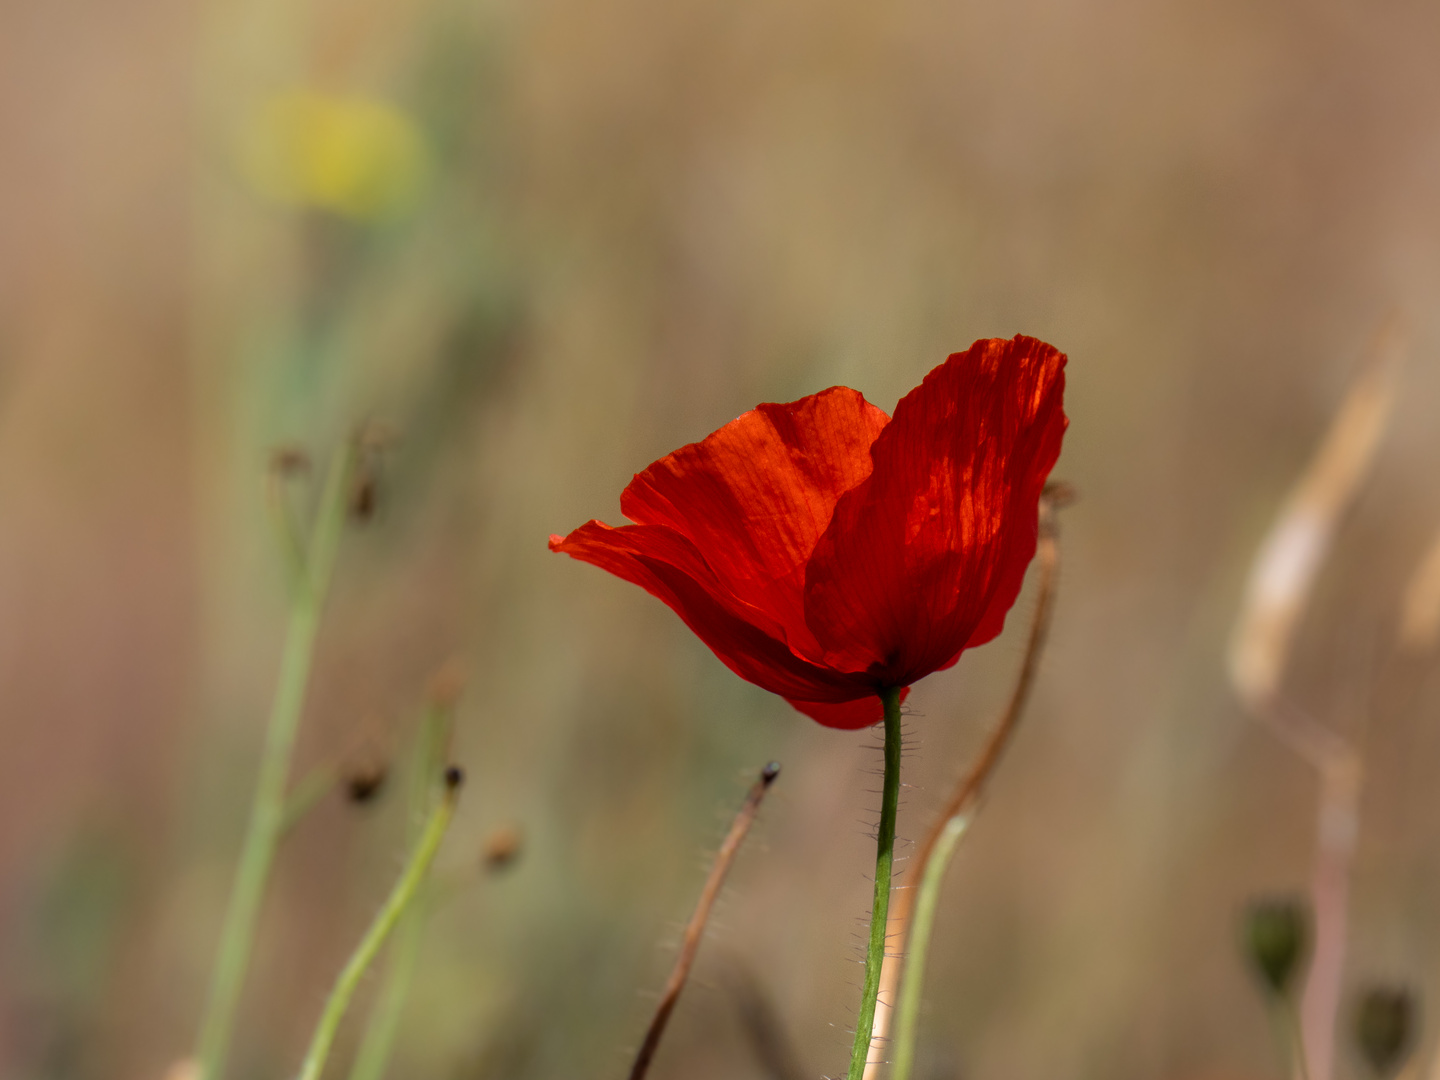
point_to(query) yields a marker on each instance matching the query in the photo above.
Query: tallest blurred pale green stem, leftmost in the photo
(269, 817)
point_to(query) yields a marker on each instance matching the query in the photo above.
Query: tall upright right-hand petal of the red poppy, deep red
(928, 554)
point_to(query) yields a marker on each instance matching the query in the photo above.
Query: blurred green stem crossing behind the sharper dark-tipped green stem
(384, 1023)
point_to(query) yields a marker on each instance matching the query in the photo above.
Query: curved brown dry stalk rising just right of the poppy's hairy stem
(967, 794)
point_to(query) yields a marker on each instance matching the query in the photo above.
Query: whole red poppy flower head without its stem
(827, 552)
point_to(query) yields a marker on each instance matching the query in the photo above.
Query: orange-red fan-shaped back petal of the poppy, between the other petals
(757, 496)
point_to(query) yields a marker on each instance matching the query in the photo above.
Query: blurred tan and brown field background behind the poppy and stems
(548, 244)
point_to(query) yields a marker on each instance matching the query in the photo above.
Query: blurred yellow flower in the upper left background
(354, 156)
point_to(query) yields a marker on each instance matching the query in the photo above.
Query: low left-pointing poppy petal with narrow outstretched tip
(667, 565)
